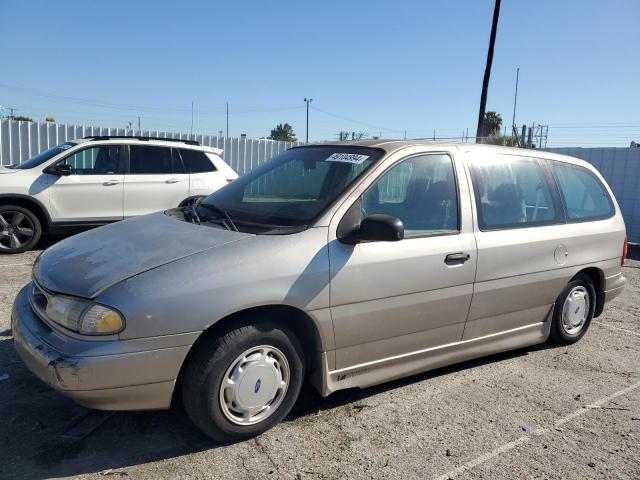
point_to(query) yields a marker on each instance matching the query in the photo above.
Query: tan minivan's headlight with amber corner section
(83, 316)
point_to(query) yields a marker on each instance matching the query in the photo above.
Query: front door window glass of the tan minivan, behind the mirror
(421, 191)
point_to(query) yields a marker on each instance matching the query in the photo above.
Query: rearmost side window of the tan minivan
(584, 195)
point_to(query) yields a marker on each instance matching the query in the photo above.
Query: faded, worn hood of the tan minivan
(89, 263)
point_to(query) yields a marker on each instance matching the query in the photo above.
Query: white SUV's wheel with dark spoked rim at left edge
(15, 222)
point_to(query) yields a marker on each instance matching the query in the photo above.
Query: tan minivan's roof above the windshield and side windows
(391, 145)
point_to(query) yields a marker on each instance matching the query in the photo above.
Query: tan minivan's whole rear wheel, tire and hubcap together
(573, 311)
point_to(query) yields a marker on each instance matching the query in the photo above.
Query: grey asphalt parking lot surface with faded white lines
(542, 412)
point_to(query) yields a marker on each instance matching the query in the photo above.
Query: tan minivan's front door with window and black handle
(393, 298)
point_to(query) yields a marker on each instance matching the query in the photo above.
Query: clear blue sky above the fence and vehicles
(372, 66)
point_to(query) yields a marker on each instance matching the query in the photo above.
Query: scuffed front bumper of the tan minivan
(105, 375)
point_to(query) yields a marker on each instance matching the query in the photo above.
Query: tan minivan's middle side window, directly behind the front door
(513, 193)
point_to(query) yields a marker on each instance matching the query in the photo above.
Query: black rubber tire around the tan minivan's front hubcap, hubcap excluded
(208, 365)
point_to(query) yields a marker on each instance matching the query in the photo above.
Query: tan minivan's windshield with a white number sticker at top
(293, 188)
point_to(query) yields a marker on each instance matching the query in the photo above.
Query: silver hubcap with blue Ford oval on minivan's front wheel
(254, 385)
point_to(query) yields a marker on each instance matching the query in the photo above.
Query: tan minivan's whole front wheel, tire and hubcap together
(245, 380)
